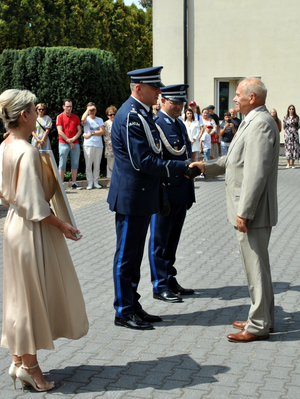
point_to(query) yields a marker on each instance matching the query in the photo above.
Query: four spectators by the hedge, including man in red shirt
(69, 129)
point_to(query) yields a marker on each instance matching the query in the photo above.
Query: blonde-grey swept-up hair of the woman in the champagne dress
(12, 103)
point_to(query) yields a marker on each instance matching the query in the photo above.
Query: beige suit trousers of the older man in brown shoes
(255, 258)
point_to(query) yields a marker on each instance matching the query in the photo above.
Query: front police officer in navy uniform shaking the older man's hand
(136, 190)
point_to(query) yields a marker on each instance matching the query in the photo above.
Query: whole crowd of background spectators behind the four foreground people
(97, 136)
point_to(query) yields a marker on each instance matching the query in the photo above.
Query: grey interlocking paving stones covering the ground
(187, 355)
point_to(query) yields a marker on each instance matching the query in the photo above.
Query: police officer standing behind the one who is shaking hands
(179, 196)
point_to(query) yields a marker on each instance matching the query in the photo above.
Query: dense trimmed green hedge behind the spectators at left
(55, 73)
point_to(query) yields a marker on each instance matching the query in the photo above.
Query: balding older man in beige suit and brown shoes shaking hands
(251, 167)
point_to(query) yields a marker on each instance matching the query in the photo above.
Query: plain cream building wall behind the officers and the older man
(231, 39)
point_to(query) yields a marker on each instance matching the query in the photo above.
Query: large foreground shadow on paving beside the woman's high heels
(167, 373)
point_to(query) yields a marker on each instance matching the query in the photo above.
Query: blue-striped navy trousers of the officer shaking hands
(131, 235)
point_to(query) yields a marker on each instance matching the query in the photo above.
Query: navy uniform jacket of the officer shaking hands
(136, 187)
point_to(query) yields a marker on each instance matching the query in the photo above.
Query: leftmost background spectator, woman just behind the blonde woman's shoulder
(43, 125)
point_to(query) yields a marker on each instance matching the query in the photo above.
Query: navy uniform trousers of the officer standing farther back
(163, 243)
